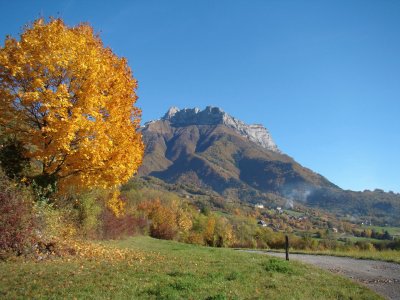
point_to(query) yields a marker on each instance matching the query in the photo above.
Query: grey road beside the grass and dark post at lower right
(382, 277)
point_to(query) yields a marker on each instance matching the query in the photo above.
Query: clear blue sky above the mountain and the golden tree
(322, 76)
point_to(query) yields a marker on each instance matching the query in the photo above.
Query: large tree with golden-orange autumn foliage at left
(70, 101)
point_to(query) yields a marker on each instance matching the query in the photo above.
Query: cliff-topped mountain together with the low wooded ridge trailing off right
(213, 150)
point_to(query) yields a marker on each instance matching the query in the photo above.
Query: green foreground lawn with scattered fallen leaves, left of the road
(170, 270)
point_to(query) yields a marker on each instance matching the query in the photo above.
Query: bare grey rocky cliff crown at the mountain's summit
(216, 116)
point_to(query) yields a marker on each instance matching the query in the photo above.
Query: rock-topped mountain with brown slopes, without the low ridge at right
(201, 147)
